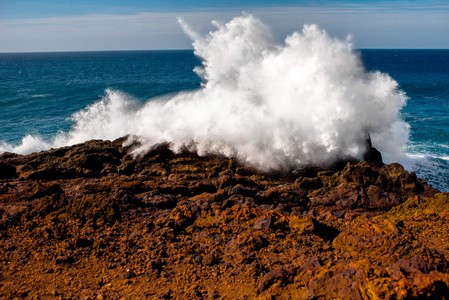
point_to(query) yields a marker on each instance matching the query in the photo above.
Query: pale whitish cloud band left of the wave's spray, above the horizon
(93, 32)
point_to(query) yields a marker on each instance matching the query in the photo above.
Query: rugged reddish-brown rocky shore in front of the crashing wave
(91, 222)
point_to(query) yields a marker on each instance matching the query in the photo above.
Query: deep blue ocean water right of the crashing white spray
(424, 76)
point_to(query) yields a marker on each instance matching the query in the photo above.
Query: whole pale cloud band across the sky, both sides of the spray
(380, 26)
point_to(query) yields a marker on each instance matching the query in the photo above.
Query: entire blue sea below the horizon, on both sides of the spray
(39, 93)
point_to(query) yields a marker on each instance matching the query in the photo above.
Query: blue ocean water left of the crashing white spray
(39, 92)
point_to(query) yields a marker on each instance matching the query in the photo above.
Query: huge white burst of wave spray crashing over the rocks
(307, 101)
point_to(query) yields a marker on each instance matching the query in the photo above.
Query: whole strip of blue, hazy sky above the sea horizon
(86, 25)
